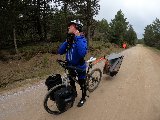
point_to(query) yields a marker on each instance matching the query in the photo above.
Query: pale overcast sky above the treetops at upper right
(139, 13)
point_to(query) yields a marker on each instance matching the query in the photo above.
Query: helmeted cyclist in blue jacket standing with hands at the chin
(75, 50)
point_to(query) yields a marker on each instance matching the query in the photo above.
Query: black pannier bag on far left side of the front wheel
(51, 82)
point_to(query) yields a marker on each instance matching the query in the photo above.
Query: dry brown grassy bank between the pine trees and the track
(37, 62)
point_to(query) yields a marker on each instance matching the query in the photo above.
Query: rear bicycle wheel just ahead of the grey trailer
(94, 79)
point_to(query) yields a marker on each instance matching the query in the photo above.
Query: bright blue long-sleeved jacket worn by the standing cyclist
(76, 52)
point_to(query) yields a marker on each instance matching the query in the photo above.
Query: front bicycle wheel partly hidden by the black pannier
(49, 104)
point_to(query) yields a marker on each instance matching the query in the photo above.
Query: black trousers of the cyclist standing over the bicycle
(82, 82)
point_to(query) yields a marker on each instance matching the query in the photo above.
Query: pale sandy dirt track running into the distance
(134, 94)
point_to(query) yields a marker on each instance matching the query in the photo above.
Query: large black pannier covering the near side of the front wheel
(64, 98)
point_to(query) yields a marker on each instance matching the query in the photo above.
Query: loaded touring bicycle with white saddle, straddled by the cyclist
(92, 83)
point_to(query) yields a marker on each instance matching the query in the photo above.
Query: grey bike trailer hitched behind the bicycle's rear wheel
(113, 64)
